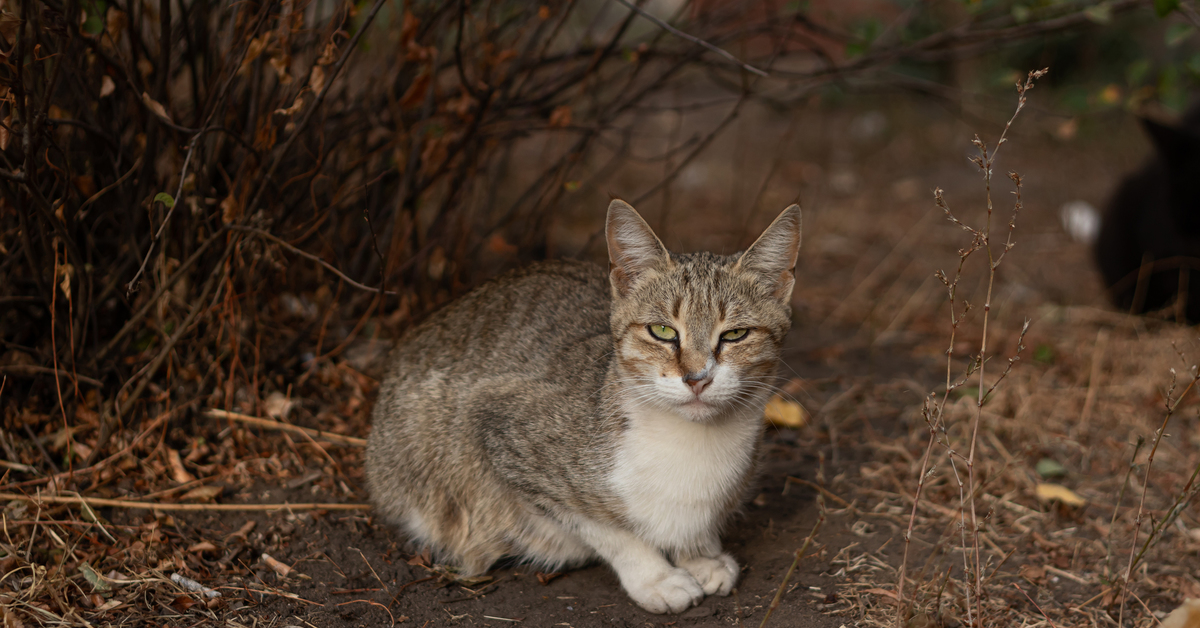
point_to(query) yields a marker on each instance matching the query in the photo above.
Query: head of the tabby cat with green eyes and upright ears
(699, 334)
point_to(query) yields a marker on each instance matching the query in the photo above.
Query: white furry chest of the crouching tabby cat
(676, 477)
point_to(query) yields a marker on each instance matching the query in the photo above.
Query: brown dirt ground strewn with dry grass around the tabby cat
(867, 348)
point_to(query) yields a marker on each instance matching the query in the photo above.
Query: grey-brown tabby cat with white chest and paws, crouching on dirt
(557, 416)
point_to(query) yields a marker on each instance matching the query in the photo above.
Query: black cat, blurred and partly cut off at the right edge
(1149, 247)
